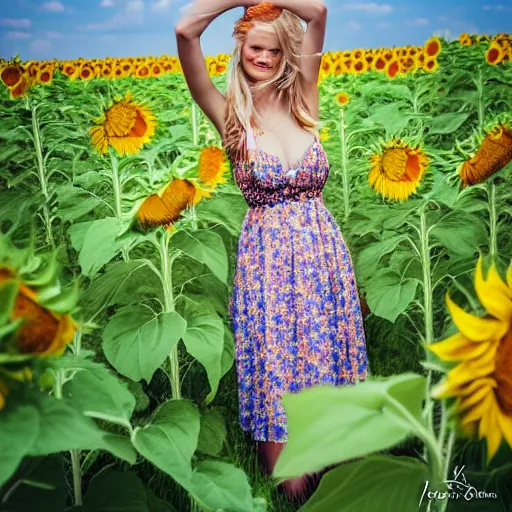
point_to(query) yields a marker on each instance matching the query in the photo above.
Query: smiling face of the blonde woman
(261, 53)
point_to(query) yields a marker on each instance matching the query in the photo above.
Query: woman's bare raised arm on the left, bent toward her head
(188, 31)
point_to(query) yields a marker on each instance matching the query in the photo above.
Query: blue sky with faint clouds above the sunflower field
(68, 29)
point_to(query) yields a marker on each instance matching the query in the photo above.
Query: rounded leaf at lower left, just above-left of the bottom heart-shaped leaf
(99, 394)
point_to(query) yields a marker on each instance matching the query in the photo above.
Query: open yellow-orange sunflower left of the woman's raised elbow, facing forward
(126, 126)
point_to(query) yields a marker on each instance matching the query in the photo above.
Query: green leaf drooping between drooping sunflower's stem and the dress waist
(206, 247)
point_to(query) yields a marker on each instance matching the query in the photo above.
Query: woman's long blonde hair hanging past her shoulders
(241, 113)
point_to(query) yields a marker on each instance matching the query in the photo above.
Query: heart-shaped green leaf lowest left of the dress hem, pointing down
(170, 440)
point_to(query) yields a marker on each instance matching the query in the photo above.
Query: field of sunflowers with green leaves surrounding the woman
(119, 221)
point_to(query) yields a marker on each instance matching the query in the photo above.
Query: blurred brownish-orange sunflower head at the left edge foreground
(42, 332)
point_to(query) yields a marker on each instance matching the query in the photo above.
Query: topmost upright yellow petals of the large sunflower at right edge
(493, 293)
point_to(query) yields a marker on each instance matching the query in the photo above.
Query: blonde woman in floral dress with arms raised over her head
(295, 309)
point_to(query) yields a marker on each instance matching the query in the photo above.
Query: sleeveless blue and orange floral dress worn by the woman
(295, 308)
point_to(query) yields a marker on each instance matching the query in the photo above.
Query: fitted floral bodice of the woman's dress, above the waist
(263, 181)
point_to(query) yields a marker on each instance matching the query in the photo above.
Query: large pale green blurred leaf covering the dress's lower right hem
(331, 424)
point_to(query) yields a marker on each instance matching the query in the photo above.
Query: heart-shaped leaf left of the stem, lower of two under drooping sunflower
(136, 342)
